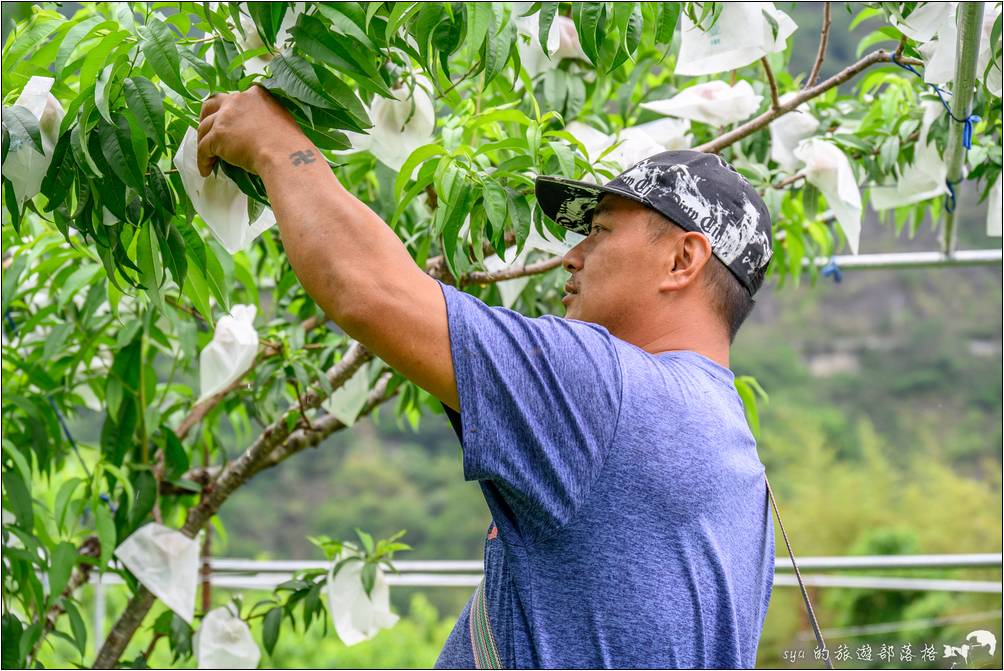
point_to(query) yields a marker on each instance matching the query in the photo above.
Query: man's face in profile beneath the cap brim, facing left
(616, 270)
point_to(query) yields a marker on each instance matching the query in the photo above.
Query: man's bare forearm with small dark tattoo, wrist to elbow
(343, 253)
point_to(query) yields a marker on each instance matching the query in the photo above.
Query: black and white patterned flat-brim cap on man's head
(698, 192)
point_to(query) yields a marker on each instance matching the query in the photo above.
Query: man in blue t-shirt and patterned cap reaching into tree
(631, 526)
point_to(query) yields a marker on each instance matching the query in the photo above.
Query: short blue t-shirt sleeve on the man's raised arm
(540, 401)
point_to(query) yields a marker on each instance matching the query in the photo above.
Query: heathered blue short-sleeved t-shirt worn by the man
(630, 521)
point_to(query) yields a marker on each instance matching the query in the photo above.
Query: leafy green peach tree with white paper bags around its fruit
(160, 305)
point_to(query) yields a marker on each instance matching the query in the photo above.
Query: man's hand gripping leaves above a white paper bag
(244, 129)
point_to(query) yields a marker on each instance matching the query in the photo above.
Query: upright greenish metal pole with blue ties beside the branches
(970, 22)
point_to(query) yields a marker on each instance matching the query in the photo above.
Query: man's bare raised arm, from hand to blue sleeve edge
(346, 257)
